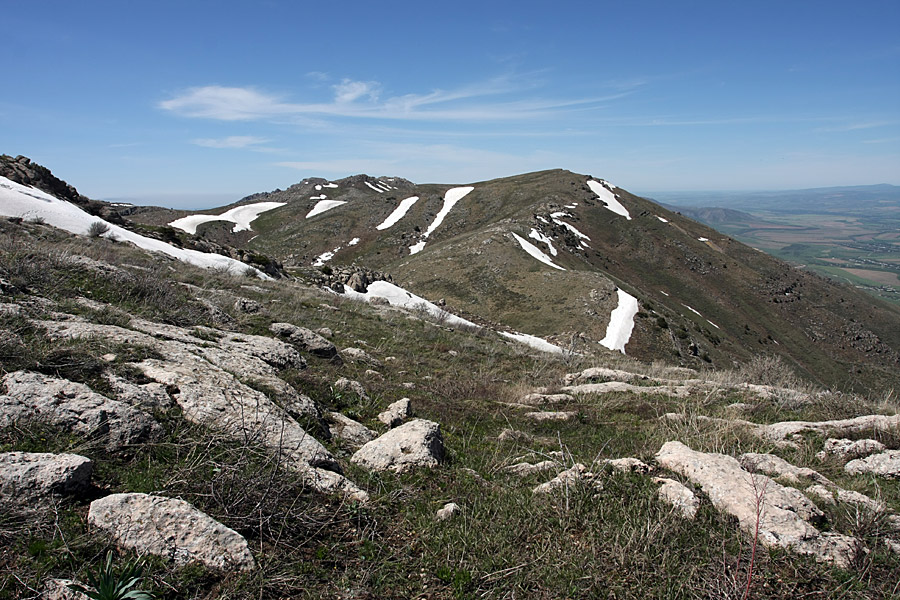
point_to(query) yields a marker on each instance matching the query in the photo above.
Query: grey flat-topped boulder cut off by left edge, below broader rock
(29, 476)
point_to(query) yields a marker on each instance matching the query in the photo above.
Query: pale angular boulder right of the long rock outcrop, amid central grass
(417, 443)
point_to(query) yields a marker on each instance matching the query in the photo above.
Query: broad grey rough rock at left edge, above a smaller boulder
(73, 407)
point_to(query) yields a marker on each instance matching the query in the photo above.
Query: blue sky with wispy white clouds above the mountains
(198, 103)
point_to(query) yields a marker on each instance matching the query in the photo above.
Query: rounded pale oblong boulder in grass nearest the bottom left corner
(170, 528)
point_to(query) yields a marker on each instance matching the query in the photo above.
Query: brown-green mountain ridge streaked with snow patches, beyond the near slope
(547, 253)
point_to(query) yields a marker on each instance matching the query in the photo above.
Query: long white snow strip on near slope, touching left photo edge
(28, 203)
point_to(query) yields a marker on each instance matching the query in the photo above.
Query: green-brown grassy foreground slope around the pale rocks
(619, 542)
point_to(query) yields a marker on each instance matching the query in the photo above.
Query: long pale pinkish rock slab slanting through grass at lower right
(783, 514)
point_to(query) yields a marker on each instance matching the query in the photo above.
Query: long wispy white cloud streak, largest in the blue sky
(361, 99)
